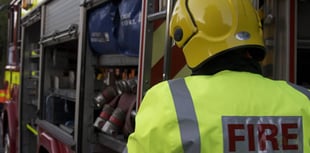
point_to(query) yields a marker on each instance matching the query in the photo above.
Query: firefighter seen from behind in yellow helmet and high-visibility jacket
(227, 105)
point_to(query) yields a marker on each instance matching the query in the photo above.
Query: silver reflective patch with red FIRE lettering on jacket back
(268, 134)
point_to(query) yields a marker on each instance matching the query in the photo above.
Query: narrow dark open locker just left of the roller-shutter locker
(28, 89)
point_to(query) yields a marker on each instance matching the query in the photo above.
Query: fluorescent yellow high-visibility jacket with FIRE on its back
(229, 112)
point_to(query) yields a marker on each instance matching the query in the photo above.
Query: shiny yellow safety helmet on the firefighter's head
(205, 28)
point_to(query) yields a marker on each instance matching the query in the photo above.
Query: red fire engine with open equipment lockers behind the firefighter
(78, 69)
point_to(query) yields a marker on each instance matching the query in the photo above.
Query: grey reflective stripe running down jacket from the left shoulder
(186, 116)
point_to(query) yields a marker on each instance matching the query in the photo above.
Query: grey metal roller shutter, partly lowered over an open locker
(60, 14)
